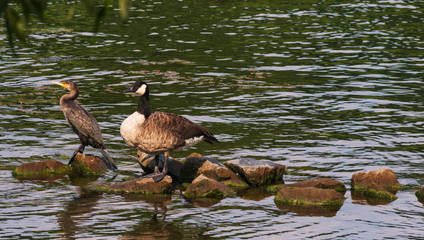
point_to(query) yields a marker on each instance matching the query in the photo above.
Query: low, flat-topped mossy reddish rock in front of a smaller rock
(310, 196)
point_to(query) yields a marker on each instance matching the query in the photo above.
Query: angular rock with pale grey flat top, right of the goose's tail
(257, 172)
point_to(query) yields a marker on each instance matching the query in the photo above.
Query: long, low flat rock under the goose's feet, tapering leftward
(137, 186)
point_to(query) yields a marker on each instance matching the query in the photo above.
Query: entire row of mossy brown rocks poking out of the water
(202, 178)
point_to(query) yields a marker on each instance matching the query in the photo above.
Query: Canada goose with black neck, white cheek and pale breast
(159, 132)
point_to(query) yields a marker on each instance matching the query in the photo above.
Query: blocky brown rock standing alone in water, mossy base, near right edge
(381, 183)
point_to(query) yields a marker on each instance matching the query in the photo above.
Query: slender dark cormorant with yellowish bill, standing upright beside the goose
(82, 123)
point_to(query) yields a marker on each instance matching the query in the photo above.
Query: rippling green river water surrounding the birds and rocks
(328, 88)
